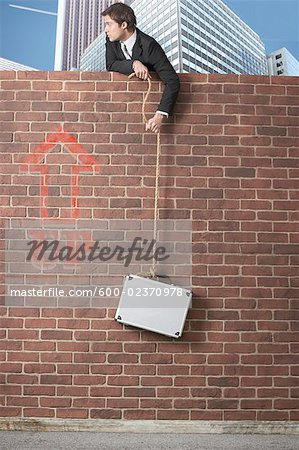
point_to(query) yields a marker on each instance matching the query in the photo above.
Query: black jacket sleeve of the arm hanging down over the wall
(166, 72)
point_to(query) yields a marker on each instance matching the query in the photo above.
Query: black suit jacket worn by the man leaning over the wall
(151, 54)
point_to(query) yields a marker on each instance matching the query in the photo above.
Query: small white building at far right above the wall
(282, 62)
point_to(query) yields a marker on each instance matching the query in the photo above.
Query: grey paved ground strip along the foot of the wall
(50, 440)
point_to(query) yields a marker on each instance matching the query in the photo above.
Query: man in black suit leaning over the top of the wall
(130, 50)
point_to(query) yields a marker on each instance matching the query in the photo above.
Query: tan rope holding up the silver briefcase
(152, 272)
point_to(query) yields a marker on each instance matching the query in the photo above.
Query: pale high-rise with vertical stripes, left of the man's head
(79, 22)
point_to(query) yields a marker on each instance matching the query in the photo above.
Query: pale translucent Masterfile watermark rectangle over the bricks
(90, 256)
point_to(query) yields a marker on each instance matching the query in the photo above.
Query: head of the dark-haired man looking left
(120, 22)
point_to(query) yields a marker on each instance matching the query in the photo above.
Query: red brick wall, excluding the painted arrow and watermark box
(229, 164)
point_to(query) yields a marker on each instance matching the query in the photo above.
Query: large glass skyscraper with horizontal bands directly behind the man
(203, 36)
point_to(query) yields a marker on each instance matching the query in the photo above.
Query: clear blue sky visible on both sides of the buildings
(29, 37)
